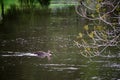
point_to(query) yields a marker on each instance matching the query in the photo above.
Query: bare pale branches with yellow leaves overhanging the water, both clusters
(101, 36)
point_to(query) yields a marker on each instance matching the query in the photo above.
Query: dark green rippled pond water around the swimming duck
(41, 30)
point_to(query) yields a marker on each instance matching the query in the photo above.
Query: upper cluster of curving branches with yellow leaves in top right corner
(102, 10)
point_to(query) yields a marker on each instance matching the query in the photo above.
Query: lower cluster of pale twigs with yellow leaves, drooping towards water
(93, 42)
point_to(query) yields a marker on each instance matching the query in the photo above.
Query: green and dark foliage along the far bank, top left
(20, 4)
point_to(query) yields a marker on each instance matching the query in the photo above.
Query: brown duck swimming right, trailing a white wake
(43, 54)
